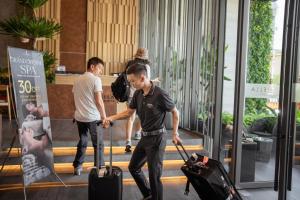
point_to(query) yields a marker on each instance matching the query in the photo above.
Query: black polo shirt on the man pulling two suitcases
(152, 108)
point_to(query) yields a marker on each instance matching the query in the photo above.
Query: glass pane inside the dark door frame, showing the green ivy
(261, 91)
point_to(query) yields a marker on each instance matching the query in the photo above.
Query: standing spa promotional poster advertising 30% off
(31, 101)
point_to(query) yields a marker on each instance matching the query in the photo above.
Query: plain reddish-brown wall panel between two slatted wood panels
(74, 34)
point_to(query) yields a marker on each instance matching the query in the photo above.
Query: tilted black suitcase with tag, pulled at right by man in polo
(208, 178)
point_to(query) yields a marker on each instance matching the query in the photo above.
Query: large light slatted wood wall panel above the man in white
(112, 32)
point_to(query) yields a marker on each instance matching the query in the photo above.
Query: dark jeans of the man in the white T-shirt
(83, 129)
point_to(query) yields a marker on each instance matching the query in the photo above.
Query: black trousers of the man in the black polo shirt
(150, 149)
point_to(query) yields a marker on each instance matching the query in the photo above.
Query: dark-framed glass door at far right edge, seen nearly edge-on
(287, 172)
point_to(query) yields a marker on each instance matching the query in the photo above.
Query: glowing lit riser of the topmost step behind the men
(117, 150)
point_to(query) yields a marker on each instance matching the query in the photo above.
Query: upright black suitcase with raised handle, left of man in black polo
(110, 185)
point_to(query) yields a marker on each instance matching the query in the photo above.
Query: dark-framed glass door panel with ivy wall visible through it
(256, 97)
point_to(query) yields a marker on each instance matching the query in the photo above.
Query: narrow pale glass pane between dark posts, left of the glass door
(229, 83)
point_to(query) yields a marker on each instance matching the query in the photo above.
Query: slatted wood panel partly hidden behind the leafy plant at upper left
(50, 10)
